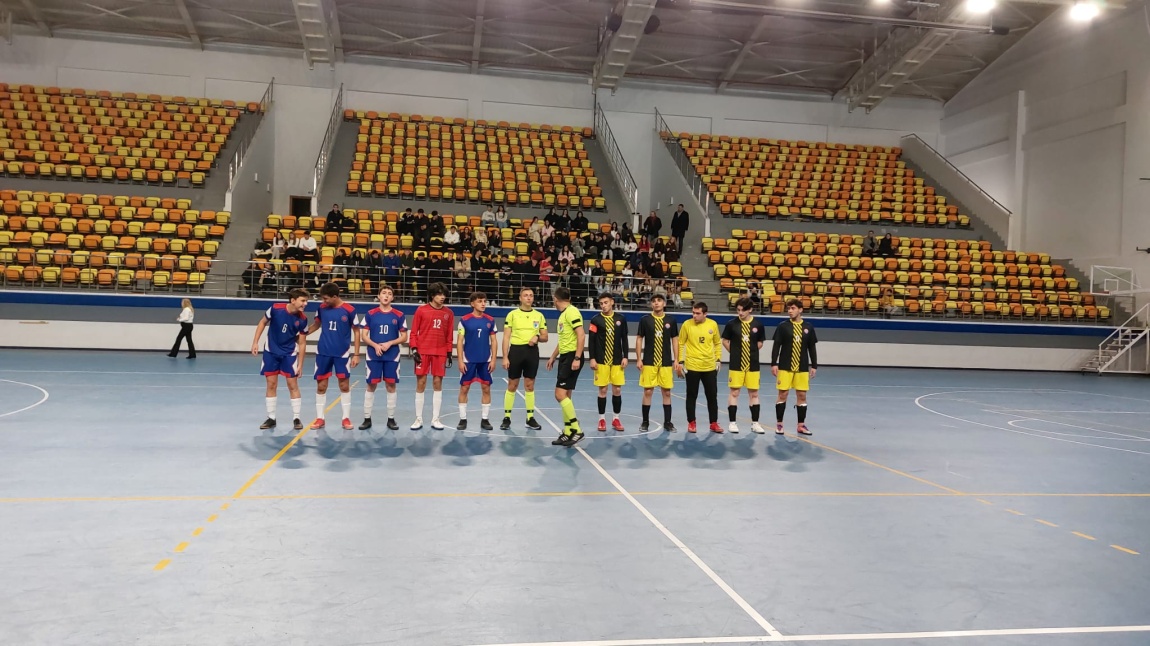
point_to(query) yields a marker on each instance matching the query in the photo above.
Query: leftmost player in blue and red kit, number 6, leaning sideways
(283, 353)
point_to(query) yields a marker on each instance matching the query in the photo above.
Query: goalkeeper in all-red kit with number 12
(432, 339)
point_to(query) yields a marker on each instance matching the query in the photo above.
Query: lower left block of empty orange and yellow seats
(58, 240)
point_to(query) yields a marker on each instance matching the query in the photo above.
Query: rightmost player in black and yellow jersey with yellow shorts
(794, 362)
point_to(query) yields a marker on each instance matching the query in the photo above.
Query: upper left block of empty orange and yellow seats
(83, 135)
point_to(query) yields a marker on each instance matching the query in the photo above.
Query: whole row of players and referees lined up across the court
(663, 351)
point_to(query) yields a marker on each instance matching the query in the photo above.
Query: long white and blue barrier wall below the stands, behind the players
(95, 321)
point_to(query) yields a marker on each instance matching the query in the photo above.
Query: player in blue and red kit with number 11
(336, 320)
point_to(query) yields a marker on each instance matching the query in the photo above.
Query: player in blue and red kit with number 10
(384, 330)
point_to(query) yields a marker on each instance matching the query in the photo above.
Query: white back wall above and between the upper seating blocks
(304, 101)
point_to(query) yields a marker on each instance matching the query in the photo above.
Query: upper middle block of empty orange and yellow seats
(476, 161)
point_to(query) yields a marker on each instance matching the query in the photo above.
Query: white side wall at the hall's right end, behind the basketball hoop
(1059, 130)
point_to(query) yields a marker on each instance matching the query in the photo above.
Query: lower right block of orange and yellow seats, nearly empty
(926, 278)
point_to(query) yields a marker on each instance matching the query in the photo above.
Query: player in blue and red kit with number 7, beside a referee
(477, 347)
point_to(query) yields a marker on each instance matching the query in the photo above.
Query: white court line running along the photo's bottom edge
(845, 637)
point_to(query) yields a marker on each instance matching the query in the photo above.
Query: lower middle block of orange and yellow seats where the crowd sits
(356, 258)
